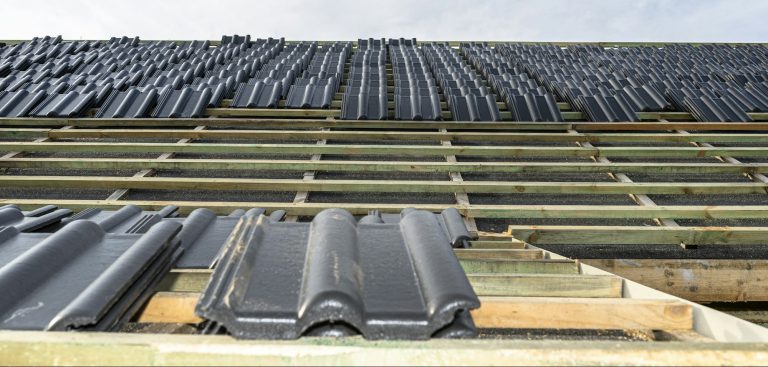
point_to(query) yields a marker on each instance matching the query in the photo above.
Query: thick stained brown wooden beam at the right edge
(697, 280)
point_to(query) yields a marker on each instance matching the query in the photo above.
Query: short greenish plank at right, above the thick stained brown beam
(625, 235)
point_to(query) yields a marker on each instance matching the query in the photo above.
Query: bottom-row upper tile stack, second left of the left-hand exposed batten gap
(132, 103)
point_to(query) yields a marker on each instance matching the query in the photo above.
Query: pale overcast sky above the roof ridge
(537, 20)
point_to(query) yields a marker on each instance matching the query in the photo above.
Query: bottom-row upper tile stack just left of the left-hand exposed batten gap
(184, 103)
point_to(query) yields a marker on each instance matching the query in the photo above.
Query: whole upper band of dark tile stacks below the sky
(124, 77)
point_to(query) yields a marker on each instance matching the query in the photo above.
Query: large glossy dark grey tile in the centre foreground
(336, 276)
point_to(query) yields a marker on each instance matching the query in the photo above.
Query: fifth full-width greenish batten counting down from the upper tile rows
(505, 187)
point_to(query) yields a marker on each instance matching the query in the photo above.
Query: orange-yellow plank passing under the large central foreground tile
(500, 312)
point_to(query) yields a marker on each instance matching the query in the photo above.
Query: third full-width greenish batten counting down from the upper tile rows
(402, 150)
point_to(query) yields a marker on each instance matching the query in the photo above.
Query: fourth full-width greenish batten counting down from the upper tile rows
(380, 166)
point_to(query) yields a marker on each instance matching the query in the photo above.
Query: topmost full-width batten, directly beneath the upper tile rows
(390, 124)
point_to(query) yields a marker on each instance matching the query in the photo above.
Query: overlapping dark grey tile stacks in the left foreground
(95, 269)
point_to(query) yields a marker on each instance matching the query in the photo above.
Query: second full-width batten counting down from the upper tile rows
(393, 135)
